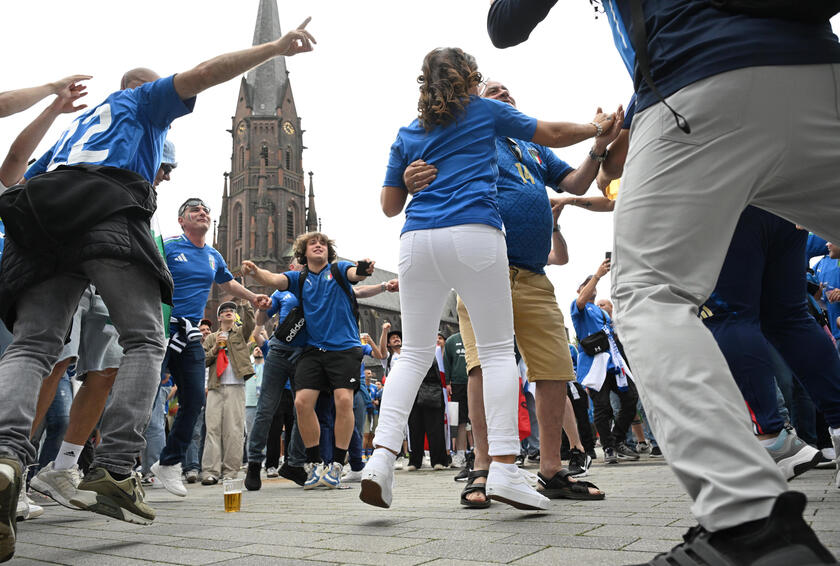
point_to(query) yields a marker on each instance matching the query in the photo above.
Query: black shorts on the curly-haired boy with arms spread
(328, 371)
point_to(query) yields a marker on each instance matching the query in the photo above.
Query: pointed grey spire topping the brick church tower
(266, 83)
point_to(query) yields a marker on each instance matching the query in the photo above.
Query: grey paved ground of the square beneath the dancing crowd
(645, 512)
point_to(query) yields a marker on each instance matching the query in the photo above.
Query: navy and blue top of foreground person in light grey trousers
(690, 40)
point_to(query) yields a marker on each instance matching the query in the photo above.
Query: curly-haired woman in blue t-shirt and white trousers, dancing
(452, 238)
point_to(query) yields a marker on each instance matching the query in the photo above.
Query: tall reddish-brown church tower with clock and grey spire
(264, 205)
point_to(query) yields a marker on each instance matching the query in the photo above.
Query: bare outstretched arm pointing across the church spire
(230, 65)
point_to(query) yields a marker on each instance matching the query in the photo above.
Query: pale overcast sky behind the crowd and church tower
(352, 93)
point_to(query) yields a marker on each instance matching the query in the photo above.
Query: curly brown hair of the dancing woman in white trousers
(448, 75)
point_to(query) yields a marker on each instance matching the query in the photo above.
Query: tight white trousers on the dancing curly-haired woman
(472, 258)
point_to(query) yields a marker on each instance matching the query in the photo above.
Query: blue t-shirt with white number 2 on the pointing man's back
(127, 130)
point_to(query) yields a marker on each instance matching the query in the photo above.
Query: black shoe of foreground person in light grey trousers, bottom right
(782, 539)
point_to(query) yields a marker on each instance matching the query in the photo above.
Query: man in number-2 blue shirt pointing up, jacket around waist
(102, 168)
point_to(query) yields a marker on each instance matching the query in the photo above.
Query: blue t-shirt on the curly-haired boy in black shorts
(330, 323)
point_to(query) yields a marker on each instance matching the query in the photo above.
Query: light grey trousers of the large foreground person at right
(767, 136)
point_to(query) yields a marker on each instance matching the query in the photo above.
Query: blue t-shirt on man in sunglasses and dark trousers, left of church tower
(193, 270)
